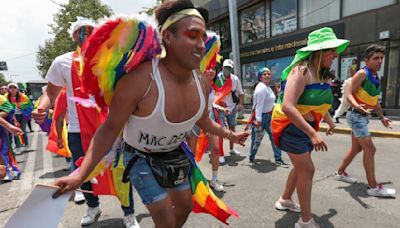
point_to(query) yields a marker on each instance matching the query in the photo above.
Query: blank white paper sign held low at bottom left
(39, 210)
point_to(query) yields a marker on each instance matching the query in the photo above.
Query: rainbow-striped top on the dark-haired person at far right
(369, 91)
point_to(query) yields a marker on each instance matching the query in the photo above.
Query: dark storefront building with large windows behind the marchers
(270, 31)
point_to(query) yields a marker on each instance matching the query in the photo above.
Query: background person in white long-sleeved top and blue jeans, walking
(263, 103)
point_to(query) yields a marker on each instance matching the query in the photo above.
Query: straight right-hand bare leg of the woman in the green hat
(304, 169)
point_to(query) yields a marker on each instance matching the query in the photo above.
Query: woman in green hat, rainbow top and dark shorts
(305, 99)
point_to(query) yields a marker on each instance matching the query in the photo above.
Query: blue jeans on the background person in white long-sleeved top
(257, 134)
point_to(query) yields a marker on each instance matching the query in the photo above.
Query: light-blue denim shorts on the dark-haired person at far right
(358, 124)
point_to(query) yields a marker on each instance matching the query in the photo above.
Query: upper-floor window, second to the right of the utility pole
(283, 16)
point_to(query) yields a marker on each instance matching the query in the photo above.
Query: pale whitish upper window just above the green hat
(313, 12)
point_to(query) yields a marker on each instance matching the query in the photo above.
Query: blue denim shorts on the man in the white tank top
(145, 183)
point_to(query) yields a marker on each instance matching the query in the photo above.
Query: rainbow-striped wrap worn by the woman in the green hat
(316, 99)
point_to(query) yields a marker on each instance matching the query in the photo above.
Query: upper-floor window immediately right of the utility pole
(252, 26)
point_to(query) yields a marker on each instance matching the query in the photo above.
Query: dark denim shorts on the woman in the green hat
(295, 141)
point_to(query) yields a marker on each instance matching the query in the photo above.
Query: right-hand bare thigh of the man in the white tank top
(182, 201)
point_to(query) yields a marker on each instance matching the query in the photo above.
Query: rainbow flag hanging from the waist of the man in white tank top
(204, 200)
